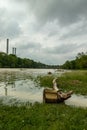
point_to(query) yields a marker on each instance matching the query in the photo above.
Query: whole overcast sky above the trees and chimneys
(46, 31)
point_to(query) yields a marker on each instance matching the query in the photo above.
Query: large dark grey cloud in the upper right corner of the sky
(65, 11)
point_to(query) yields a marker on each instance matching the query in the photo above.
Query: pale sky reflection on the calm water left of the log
(23, 90)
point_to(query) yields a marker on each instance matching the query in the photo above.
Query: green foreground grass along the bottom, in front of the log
(43, 116)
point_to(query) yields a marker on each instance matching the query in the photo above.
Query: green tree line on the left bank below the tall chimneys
(12, 61)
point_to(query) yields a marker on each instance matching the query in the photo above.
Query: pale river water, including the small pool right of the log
(20, 86)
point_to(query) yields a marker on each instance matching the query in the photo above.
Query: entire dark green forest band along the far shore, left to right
(12, 61)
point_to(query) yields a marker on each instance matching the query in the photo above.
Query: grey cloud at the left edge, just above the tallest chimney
(8, 27)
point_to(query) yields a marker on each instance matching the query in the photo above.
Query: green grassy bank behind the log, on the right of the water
(75, 80)
